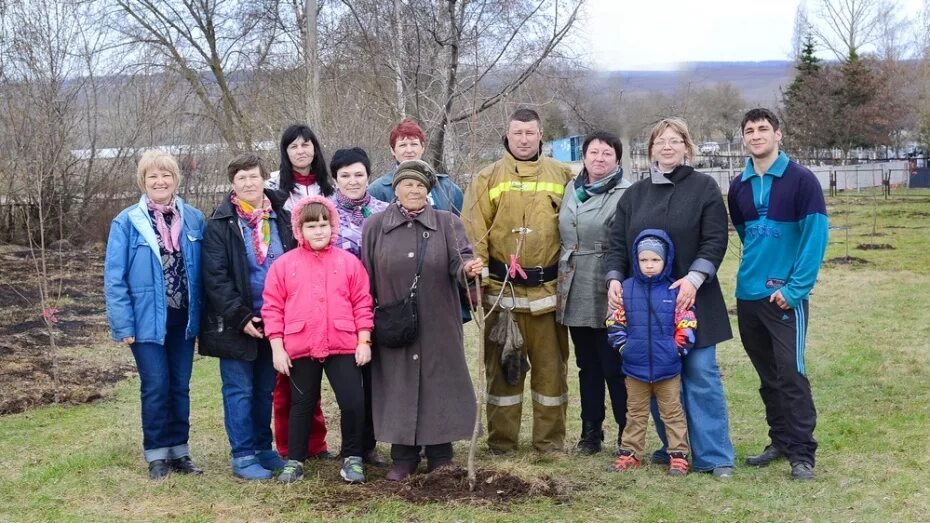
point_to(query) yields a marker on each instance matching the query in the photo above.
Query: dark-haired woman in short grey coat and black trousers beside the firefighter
(585, 220)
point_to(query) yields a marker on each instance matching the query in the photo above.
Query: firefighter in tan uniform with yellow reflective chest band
(511, 215)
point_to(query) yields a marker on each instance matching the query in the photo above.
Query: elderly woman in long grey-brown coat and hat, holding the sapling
(422, 393)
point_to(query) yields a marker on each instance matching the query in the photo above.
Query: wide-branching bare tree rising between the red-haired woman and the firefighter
(457, 51)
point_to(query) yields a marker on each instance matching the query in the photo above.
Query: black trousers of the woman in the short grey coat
(598, 364)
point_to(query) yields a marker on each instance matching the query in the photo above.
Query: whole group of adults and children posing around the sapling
(284, 282)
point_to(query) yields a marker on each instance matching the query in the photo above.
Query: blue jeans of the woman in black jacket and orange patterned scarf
(247, 388)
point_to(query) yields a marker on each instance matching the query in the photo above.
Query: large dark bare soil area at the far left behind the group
(32, 372)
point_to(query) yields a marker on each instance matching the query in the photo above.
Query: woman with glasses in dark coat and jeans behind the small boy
(689, 207)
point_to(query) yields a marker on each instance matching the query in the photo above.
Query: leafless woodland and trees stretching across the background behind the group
(85, 84)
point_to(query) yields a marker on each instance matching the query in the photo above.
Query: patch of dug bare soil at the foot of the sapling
(450, 485)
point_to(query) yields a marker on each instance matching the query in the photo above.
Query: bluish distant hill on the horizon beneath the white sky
(760, 82)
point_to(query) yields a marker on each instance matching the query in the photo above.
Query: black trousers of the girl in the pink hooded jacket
(346, 380)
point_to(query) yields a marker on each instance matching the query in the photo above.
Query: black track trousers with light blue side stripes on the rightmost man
(774, 340)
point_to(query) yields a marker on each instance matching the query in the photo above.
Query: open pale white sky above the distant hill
(657, 34)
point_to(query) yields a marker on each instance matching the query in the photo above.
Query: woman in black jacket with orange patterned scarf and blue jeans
(248, 231)
